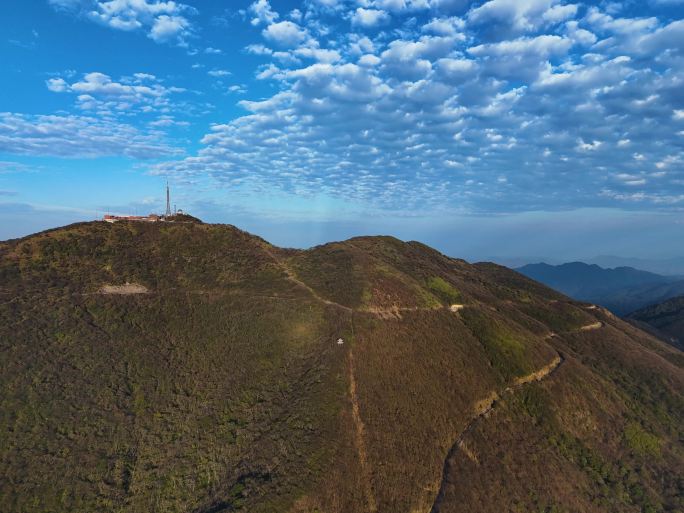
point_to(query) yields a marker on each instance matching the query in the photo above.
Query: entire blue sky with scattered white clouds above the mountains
(492, 128)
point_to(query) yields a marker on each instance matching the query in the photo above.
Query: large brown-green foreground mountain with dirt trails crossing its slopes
(196, 368)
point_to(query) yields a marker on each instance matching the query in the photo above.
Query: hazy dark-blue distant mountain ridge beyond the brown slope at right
(621, 290)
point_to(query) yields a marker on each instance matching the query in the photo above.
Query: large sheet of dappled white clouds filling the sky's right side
(494, 106)
